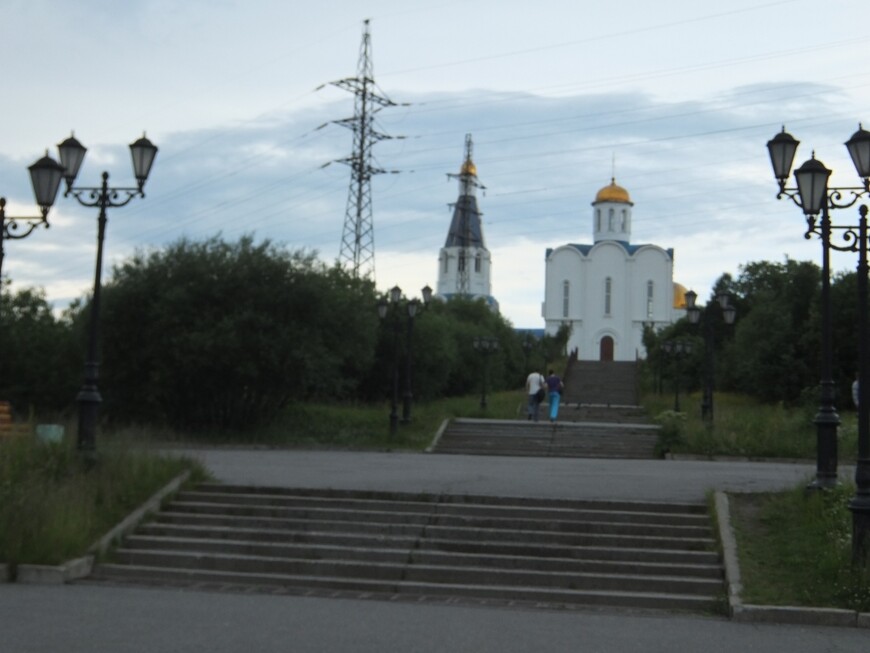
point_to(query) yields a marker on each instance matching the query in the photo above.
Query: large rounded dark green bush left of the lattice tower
(217, 335)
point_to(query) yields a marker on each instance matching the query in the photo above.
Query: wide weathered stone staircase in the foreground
(449, 548)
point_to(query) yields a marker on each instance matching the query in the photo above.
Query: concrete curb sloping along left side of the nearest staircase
(82, 567)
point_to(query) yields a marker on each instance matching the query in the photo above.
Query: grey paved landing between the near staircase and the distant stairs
(653, 480)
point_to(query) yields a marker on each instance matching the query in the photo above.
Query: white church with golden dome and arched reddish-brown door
(608, 290)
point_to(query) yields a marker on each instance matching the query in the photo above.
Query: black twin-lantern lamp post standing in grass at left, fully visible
(72, 154)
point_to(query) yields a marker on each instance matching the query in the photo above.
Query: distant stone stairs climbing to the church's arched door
(599, 417)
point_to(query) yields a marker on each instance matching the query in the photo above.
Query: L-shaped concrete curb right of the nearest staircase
(743, 612)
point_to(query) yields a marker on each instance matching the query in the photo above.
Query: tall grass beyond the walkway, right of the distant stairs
(744, 427)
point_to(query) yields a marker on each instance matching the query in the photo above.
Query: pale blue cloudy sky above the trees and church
(678, 98)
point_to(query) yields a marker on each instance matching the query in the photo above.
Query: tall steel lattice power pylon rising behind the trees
(357, 240)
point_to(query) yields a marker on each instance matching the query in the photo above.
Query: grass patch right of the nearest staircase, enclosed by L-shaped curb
(795, 549)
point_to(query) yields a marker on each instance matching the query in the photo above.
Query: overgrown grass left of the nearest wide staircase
(53, 508)
